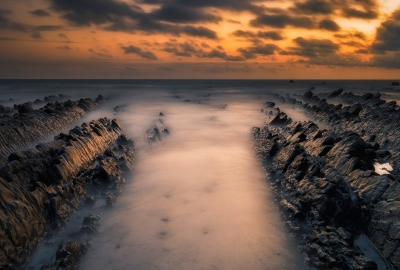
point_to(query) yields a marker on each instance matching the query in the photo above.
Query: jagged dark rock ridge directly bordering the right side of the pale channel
(318, 201)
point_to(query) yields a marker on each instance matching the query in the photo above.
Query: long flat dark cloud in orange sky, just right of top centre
(282, 21)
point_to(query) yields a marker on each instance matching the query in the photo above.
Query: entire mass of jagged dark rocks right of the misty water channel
(325, 179)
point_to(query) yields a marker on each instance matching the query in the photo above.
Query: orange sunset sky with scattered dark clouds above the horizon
(200, 39)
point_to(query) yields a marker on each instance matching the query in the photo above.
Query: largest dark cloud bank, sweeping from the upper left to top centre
(119, 16)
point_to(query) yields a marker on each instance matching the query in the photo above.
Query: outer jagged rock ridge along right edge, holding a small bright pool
(366, 130)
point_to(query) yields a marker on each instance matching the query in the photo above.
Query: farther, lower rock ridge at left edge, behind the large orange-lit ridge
(26, 127)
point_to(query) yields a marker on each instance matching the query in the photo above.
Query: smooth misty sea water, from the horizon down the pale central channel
(198, 199)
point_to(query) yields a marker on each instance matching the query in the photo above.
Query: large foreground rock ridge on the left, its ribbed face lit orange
(41, 188)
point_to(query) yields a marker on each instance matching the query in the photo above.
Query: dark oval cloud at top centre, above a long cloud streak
(183, 14)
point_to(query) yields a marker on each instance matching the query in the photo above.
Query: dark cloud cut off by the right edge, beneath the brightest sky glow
(388, 35)
